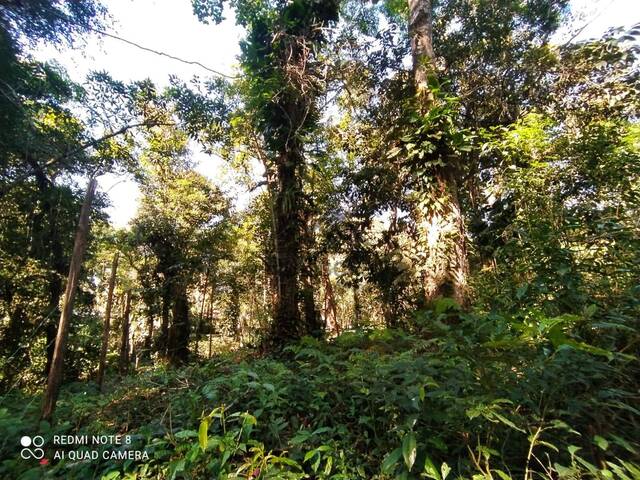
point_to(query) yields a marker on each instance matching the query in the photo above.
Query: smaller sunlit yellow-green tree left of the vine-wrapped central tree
(181, 222)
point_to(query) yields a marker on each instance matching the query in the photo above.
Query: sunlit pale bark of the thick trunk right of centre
(441, 222)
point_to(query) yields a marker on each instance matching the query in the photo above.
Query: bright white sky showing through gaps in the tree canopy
(169, 26)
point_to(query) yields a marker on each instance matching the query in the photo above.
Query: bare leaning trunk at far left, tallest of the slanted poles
(79, 247)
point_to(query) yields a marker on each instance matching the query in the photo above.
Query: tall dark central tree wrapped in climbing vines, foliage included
(283, 80)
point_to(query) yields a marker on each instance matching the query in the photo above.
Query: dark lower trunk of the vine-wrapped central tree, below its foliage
(287, 315)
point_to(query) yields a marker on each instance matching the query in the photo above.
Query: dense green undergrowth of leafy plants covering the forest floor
(457, 401)
